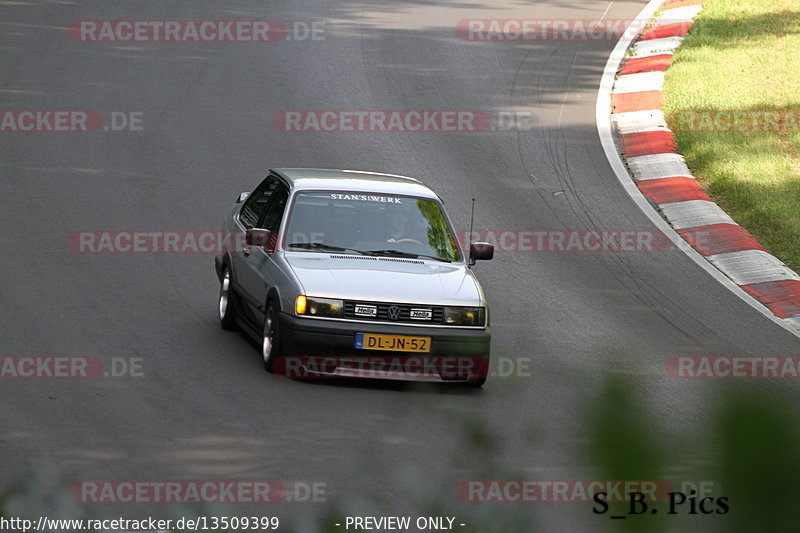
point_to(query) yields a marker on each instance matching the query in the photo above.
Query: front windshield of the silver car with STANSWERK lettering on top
(370, 224)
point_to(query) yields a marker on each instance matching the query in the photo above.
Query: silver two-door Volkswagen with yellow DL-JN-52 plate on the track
(343, 273)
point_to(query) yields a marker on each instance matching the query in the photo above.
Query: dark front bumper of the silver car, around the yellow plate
(327, 348)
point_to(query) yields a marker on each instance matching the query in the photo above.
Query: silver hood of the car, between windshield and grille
(385, 279)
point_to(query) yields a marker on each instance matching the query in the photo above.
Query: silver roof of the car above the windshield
(353, 180)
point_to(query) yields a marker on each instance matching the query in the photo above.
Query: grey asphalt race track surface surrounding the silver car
(204, 409)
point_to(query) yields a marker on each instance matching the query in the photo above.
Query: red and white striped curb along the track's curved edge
(631, 96)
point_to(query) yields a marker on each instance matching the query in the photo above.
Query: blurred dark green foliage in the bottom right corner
(750, 448)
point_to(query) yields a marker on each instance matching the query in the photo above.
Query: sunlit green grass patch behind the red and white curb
(743, 56)
